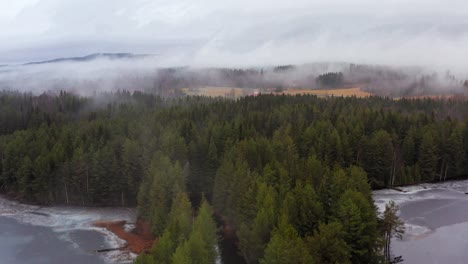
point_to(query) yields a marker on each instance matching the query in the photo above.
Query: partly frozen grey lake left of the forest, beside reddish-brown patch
(35, 235)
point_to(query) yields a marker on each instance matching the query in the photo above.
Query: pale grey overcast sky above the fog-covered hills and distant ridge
(240, 32)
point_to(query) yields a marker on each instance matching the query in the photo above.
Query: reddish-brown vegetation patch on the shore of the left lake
(139, 240)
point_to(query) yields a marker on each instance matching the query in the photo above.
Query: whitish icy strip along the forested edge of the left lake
(65, 221)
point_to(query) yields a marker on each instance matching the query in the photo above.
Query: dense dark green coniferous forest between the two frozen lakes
(291, 175)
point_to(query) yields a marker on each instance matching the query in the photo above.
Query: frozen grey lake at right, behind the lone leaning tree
(436, 219)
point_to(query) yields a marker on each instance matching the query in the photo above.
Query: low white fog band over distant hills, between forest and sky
(158, 75)
